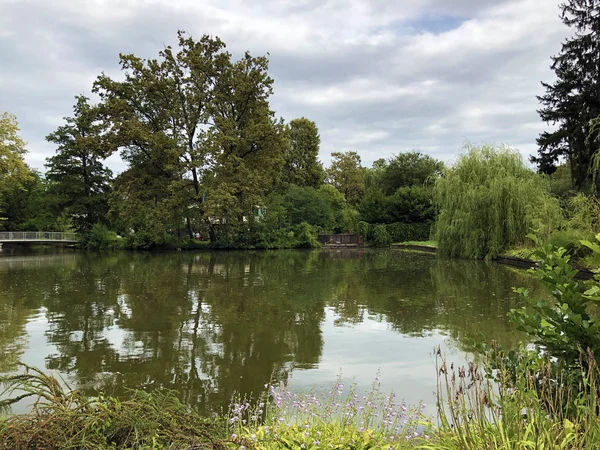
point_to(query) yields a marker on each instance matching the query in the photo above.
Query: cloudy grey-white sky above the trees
(377, 76)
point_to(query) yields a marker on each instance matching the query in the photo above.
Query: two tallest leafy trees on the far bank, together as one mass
(196, 129)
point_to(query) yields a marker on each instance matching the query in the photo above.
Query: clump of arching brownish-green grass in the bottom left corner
(62, 418)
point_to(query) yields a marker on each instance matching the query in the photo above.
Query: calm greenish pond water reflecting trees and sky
(211, 324)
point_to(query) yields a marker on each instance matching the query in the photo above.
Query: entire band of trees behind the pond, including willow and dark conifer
(205, 155)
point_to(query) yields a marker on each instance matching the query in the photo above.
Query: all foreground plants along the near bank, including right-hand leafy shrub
(545, 397)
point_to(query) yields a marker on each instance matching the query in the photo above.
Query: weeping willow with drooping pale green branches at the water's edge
(490, 201)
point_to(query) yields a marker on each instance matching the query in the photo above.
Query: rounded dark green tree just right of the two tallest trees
(302, 166)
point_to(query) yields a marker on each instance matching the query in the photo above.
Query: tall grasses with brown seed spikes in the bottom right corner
(518, 404)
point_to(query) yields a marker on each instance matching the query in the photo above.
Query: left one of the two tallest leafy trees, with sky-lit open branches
(158, 118)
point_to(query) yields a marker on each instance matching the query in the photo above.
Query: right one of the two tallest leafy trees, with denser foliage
(245, 145)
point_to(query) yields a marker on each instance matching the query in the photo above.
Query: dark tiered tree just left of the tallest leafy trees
(76, 174)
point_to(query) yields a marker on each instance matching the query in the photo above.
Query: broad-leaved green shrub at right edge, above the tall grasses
(566, 322)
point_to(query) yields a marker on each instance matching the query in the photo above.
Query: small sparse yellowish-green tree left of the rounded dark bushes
(347, 175)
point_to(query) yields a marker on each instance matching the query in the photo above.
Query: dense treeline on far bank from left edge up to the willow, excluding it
(205, 155)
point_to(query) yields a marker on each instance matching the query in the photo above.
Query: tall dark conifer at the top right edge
(573, 100)
